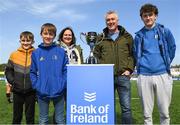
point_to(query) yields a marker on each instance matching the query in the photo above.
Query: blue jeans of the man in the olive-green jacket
(123, 87)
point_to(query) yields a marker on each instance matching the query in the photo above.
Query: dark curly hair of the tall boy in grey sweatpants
(147, 8)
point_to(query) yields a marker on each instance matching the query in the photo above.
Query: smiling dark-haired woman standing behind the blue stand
(67, 40)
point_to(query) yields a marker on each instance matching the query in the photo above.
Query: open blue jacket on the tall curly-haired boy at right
(166, 43)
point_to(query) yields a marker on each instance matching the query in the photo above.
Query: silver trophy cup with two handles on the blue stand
(92, 39)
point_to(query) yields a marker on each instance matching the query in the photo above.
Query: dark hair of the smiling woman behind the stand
(60, 36)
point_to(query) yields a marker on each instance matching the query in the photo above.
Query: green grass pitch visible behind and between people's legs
(6, 108)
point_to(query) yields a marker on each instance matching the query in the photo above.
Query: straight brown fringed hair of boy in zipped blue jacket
(49, 27)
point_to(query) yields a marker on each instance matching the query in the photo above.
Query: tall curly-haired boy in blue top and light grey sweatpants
(154, 50)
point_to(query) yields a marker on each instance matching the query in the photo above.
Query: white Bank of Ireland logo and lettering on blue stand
(89, 113)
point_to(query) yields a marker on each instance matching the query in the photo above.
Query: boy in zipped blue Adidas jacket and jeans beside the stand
(48, 75)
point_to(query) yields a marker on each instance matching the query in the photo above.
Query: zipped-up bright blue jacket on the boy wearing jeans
(49, 71)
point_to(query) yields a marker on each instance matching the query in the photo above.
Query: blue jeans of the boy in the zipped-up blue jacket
(44, 110)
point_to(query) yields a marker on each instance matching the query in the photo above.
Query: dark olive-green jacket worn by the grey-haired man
(118, 52)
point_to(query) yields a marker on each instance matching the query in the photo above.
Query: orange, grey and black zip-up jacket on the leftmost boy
(18, 69)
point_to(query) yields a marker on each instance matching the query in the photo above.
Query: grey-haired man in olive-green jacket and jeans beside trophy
(116, 48)
